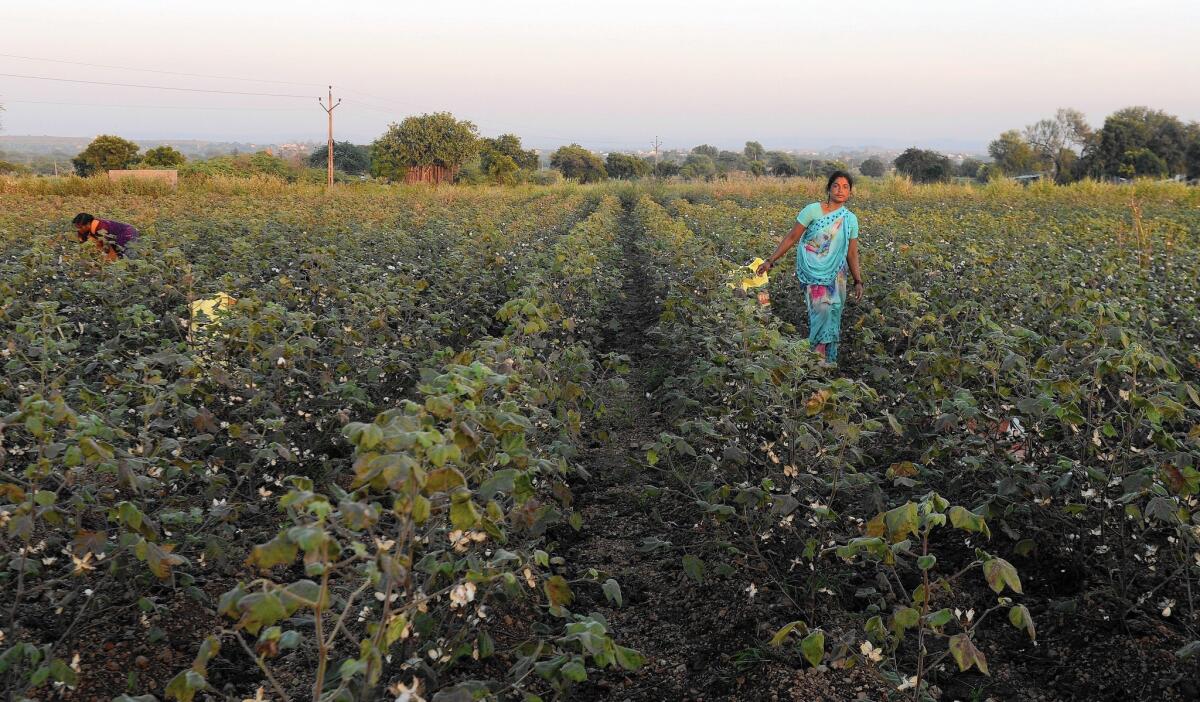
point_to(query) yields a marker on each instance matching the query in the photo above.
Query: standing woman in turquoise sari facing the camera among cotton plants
(829, 237)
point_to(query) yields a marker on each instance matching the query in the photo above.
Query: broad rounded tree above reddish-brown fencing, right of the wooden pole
(428, 140)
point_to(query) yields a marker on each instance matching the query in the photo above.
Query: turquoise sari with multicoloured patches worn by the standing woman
(821, 268)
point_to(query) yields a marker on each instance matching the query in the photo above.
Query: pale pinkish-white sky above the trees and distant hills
(610, 75)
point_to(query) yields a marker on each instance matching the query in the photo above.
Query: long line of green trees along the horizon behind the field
(1136, 142)
